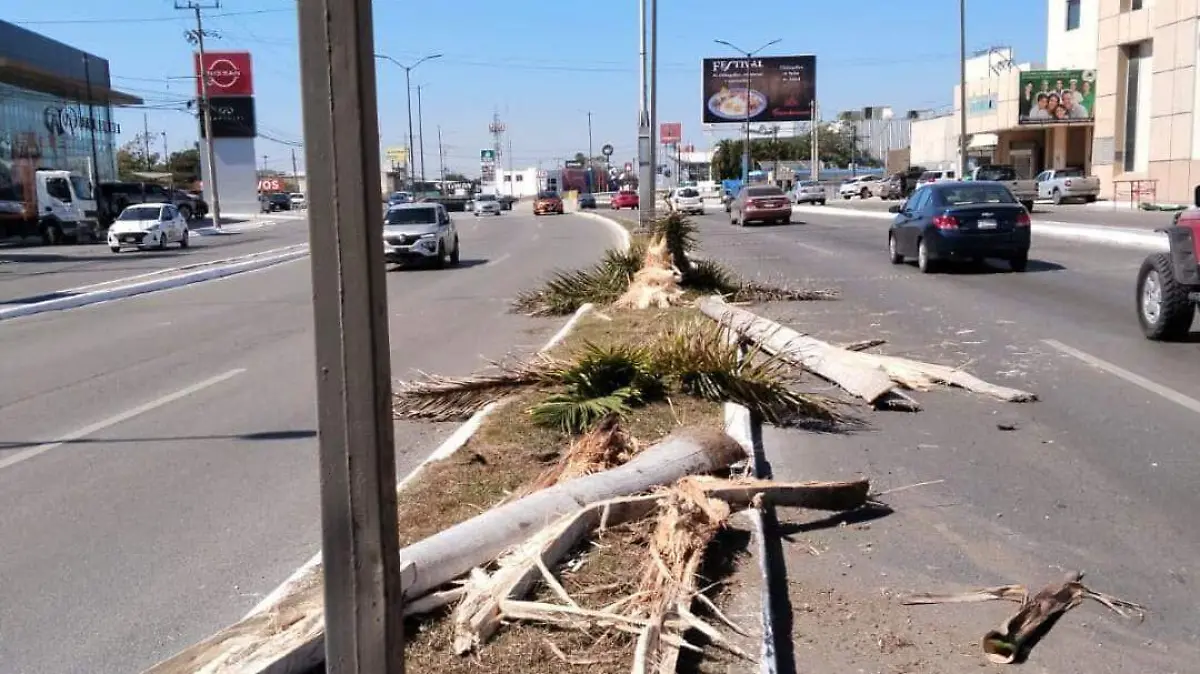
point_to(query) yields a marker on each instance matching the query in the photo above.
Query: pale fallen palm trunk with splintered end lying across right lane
(871, 377)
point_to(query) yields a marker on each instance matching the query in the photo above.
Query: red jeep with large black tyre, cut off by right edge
(1169, 284)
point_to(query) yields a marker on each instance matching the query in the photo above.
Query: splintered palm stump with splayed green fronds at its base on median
(669, 275)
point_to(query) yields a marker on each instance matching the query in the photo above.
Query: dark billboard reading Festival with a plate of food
(765, 89)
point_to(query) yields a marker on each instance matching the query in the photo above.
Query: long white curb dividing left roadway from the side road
(251, 263)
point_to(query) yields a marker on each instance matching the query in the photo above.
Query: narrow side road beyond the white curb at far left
(29, 274)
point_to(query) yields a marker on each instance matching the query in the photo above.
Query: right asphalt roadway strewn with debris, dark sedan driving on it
(1101, 476)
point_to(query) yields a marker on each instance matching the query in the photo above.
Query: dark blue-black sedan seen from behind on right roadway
(957, 220)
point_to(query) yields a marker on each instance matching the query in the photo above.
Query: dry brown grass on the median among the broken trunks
(508, 453)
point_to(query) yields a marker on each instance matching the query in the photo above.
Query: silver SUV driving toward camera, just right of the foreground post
(421, 234)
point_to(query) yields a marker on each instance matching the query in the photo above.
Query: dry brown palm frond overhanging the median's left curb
(455, 399)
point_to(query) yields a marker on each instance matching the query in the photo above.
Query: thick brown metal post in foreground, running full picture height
(364, 629)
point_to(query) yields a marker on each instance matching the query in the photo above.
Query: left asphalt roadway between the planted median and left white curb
(175, 479)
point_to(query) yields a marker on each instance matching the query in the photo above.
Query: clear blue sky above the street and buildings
(542, 65)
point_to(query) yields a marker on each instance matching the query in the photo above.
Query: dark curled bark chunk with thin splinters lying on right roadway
(1011, 642)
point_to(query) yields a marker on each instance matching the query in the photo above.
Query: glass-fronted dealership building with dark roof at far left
(56, 109)
